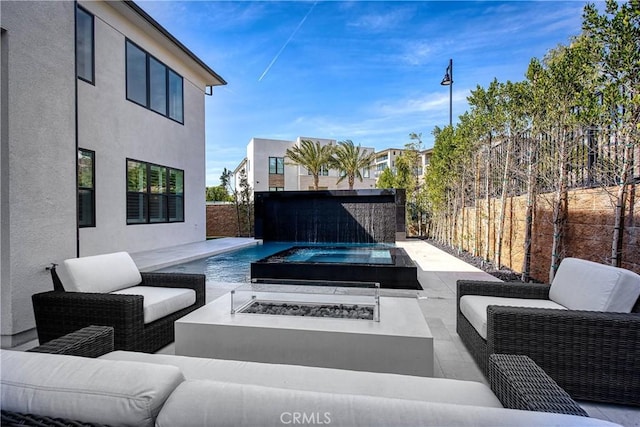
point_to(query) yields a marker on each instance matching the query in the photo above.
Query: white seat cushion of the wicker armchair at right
(474, 308)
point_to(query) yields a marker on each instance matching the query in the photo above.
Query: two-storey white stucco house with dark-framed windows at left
(103, 141)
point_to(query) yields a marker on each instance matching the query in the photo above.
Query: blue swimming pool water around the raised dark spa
(235, 266)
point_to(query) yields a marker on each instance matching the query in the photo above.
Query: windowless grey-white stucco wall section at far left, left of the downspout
(38, 222)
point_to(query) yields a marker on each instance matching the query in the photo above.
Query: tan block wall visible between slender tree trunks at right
(588, 233)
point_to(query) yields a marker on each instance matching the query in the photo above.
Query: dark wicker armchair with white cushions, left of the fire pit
(109, 290)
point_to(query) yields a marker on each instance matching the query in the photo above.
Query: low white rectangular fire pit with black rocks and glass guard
(400, 342)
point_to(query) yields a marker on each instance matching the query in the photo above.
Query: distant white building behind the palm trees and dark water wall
(267, 169)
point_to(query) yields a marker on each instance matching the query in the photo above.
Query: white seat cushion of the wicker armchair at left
(160, 301)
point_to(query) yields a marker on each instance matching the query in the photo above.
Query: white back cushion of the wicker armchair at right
(587, 285)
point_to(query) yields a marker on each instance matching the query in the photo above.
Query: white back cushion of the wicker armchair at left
(99, 273)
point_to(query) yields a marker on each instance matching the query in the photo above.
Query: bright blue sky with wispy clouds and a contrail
(367, 71)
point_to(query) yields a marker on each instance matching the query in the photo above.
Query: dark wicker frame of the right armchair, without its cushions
(592, 355)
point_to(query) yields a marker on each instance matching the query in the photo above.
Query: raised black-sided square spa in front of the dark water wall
(389, 266)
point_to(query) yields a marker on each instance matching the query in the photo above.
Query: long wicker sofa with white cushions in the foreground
(130, 388)
